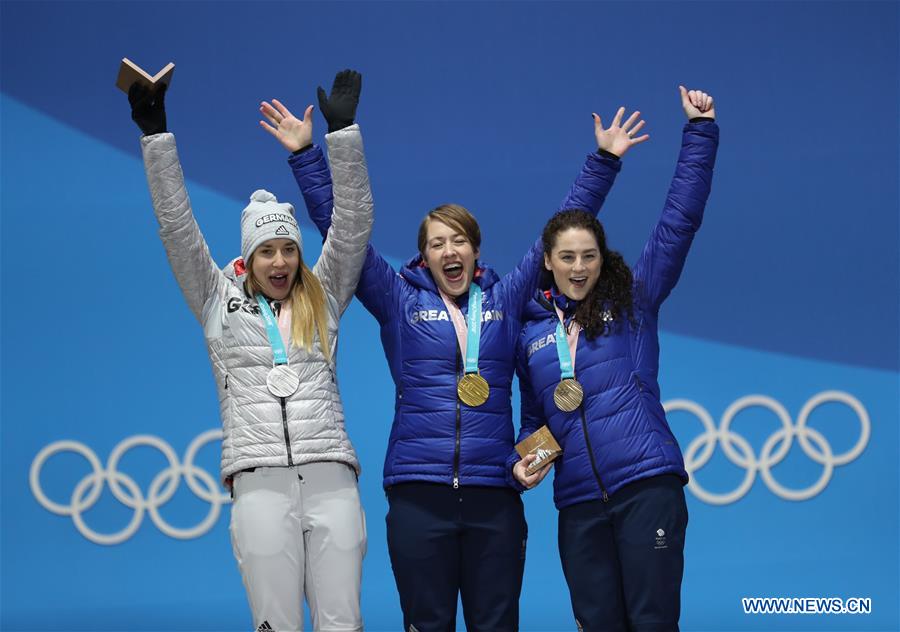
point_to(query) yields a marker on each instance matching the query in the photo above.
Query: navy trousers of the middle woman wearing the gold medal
(467, 542)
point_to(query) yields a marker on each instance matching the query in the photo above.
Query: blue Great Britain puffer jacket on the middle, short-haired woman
(435, 437)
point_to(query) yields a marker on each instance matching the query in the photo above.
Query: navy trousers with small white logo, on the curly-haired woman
(624, 559)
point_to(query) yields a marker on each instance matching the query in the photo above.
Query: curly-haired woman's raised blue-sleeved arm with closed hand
(662, 260)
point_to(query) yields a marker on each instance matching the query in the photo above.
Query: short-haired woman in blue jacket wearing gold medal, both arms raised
(448, 326)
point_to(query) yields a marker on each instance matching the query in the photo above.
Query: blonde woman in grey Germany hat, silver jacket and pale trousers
(270, 324)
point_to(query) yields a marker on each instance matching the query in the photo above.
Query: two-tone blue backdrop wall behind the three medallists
(780, 346)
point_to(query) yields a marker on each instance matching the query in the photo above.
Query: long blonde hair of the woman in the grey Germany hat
(308, 313)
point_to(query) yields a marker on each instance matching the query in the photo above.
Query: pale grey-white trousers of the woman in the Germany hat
(300, 531)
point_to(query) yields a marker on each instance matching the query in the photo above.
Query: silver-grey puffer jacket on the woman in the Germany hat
(261, 429)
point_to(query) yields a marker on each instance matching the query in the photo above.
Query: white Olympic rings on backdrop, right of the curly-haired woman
(774, 450)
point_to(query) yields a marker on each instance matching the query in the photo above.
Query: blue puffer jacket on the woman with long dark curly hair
(619, 434)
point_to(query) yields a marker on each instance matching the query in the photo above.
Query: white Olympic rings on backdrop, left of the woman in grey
(124, 488)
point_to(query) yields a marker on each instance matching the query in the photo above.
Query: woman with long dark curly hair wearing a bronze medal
(619, 482)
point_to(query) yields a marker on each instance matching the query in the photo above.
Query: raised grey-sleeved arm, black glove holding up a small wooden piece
(194, 268)
